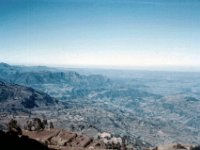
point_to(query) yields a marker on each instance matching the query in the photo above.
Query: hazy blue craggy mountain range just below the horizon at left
(44, 75)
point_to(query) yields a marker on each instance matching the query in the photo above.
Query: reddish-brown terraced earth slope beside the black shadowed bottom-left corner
(63, 140)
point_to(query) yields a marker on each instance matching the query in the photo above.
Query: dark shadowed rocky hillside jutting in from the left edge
(16, 98)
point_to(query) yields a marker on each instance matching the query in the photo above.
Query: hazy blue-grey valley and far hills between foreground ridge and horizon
(151, 106)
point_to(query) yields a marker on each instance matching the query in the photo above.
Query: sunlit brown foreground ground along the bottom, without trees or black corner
(64, 140)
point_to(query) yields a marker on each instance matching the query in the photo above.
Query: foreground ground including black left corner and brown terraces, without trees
(57, 139)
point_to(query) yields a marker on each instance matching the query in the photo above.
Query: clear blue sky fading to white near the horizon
(100, 32)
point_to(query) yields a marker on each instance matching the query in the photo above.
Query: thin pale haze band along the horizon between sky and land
(182, 68)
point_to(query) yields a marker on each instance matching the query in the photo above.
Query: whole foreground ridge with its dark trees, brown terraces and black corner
(39, 135)
